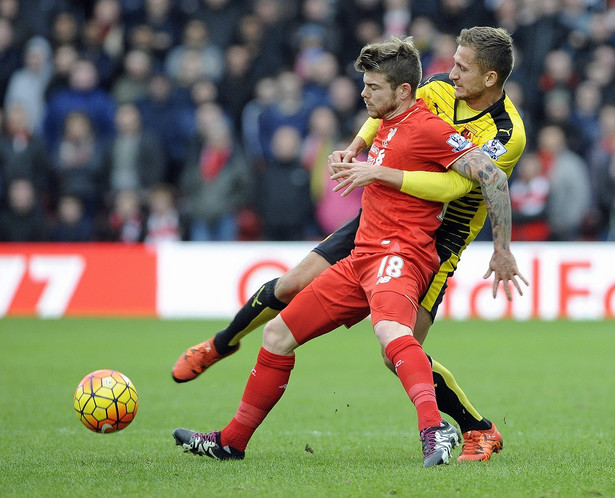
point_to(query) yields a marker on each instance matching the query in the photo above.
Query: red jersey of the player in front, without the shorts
(392, 221)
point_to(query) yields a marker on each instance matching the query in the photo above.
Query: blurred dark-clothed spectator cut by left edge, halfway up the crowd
(24, 155)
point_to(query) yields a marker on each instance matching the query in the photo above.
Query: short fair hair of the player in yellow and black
(493, 48)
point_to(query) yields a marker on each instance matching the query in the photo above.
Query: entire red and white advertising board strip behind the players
(213, 280)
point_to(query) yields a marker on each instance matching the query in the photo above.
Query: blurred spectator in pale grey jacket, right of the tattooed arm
(569, 185)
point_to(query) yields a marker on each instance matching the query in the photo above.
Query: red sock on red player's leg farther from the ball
(414, 371)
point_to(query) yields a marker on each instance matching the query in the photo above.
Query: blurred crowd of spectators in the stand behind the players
(198, 120)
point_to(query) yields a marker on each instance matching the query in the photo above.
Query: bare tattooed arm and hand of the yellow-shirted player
(477, 166)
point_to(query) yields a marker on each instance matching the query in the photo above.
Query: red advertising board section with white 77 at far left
(53, 280)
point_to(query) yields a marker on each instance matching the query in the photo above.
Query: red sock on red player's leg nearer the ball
(265, 387)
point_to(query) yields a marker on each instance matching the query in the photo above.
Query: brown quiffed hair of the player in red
(398, 59)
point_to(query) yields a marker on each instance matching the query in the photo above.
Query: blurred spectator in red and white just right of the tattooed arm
(529, 193)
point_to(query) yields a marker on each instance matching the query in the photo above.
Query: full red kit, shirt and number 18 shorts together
(394, 256)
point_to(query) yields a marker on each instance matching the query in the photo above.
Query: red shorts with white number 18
(387, 286)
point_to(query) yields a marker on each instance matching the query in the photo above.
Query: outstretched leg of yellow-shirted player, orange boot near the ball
(265, 304)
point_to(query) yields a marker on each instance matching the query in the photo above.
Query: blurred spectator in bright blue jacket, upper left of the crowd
(83, 95)
